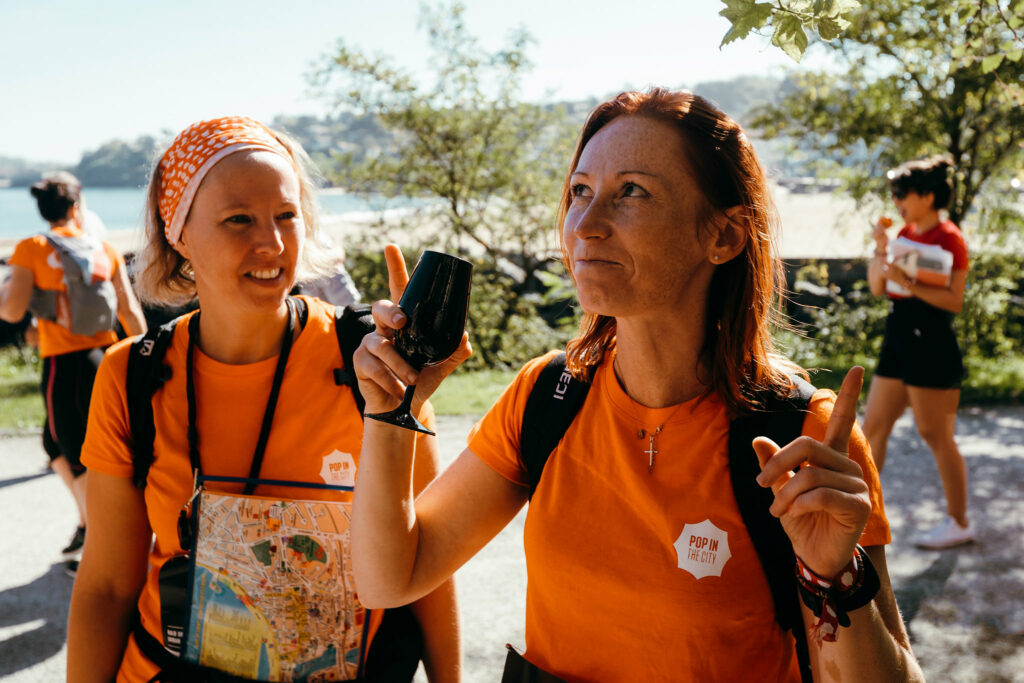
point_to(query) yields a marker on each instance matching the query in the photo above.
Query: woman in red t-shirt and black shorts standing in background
(921, 364)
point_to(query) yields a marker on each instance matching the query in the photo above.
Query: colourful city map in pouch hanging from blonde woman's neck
(273, 596)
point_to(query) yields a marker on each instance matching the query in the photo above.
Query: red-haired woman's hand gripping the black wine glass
(382, 373)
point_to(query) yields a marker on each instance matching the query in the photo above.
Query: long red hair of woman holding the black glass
(738, 351)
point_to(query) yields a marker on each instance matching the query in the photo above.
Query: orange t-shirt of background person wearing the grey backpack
(37, 255)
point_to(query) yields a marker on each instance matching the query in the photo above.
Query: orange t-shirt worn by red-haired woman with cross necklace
(647, 577)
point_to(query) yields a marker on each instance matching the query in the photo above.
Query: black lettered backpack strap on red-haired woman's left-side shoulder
(551, 408)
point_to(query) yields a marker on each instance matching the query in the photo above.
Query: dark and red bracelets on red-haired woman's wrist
(831, 602)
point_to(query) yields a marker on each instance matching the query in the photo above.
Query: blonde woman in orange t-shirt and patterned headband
(231, 222)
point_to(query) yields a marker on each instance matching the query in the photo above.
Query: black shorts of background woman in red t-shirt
(920, 348)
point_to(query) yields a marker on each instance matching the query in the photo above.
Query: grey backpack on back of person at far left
(91, 305)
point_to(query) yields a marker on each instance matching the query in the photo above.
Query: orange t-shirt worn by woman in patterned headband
(315, 420)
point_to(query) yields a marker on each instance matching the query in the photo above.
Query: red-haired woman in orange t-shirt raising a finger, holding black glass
(641, 566)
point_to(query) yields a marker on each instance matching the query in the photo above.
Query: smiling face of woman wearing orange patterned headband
(245, 231)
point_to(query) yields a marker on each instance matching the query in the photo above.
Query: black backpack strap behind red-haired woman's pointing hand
(781, 419)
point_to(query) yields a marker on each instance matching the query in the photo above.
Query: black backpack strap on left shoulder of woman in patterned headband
(147, 373)
